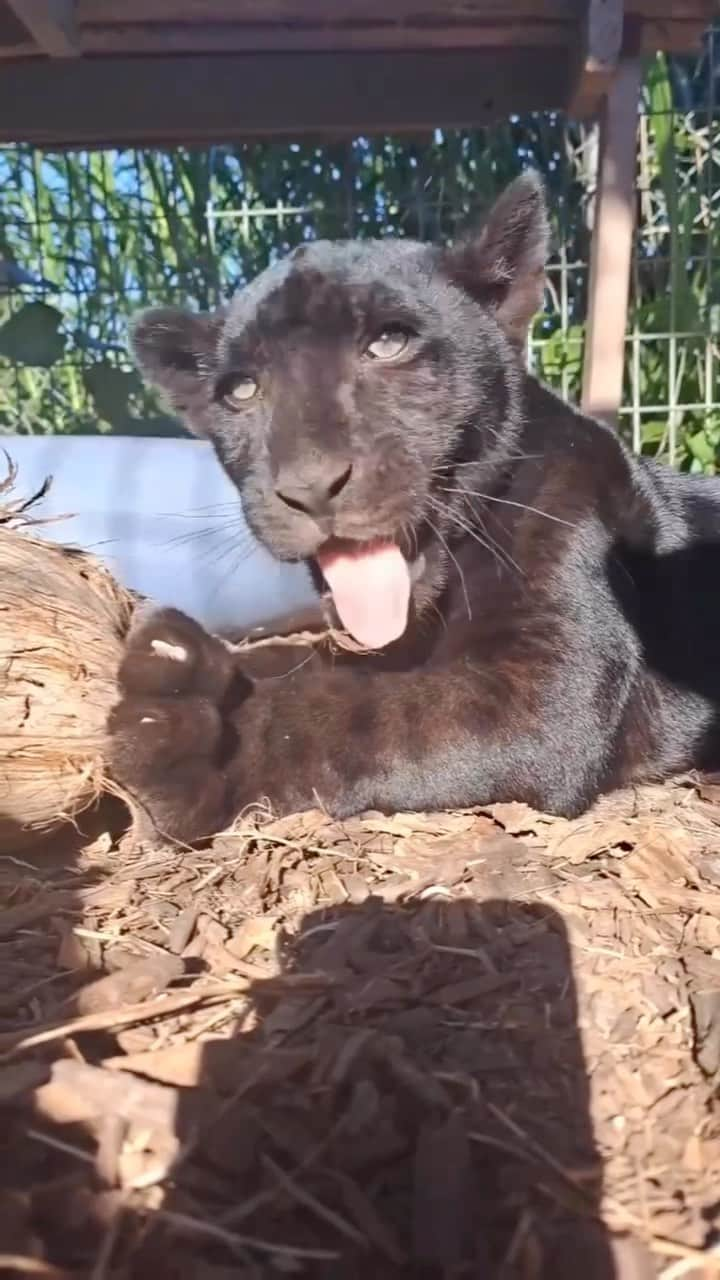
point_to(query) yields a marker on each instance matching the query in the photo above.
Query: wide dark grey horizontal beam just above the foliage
(121, 102)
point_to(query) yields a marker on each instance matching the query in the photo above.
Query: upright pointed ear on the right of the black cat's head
(503, 264)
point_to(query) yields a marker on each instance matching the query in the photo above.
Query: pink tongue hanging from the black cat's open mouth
(371, 589)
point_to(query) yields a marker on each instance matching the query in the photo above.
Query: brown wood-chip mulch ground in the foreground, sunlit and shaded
(446, 1045)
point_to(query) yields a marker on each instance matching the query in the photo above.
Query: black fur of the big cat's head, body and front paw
(566, 630)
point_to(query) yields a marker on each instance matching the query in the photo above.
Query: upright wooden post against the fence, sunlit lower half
(612, 248)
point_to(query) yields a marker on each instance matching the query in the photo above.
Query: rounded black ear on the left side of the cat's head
(176, 351)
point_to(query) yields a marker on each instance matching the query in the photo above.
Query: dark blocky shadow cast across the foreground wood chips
(407, 1099)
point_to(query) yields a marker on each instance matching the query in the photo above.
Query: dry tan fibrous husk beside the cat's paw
(62, 624)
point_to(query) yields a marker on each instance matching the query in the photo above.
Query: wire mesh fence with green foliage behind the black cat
(86, 239)
